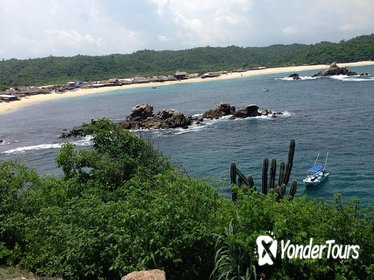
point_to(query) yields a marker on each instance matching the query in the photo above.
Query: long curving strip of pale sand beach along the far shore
(35, 99)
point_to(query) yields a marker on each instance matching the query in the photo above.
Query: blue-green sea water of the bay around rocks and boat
(334, 115)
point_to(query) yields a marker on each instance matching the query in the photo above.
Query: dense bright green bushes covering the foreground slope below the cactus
(121, 206)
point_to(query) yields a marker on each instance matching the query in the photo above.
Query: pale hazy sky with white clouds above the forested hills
(40, 28)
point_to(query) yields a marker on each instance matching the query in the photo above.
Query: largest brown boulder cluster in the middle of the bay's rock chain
(142, 116)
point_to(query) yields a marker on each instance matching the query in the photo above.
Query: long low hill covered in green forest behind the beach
(51, 70)
